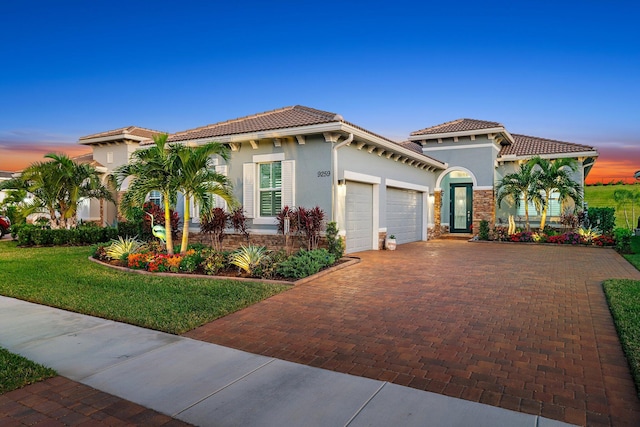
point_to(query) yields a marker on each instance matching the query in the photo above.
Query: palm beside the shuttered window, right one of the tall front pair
(197, 179)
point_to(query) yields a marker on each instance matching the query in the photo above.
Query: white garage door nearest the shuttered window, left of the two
(359, 217)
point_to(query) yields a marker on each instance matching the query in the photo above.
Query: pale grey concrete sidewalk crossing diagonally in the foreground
(206, 384)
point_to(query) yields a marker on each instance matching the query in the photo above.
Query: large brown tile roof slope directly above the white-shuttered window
(286, 117)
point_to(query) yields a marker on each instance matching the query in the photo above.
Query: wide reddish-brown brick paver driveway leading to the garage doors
(522, 327)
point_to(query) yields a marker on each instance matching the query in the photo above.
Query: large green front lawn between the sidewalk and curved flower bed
(63, 277)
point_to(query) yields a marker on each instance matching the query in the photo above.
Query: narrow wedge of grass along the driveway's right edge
(623, 296)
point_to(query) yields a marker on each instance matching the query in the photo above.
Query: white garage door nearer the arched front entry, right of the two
(404, 215)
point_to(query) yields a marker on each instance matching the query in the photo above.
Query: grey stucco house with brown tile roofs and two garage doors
(440, 180)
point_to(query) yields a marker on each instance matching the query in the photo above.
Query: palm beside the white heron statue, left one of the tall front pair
(151, 169)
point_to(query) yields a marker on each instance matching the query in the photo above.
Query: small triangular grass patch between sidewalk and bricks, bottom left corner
(17, 372)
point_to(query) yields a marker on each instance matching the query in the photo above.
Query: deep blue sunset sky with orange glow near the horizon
(562, 70)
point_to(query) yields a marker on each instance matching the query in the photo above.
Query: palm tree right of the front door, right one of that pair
(555, 175)
